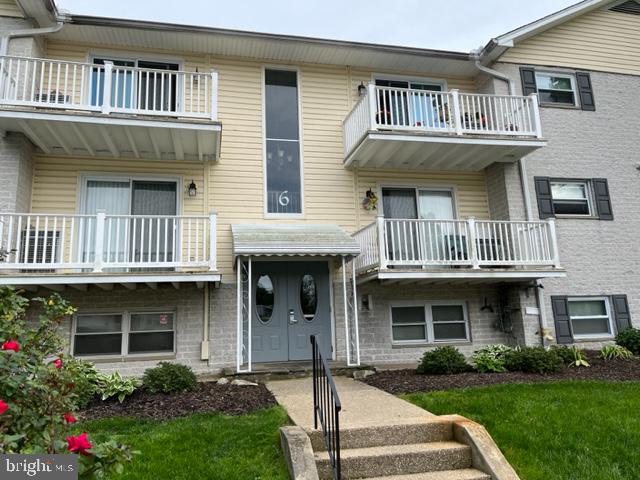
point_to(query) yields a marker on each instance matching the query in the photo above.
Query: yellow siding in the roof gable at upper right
(600, 40)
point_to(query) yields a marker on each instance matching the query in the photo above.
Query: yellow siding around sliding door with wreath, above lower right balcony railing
(470, 189)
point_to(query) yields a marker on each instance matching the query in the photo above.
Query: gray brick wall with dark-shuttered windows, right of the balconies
(601, 257)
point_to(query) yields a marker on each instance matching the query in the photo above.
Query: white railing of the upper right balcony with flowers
(388, 108)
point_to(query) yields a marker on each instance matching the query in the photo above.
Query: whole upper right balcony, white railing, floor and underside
(423, 130)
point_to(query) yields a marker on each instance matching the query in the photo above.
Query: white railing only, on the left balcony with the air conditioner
(34, 241)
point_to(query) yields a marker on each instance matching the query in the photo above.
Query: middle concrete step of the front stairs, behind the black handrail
(397, 460)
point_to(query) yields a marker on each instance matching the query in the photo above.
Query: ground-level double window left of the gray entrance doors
(124, 333)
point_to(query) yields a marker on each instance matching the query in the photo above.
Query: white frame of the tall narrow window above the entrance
(265, 196)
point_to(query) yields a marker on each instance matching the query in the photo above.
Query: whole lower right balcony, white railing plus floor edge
(468, 250)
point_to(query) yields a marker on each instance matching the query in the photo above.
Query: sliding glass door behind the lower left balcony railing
(137, 231)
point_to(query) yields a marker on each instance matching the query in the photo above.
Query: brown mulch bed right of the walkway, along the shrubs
(408, 381)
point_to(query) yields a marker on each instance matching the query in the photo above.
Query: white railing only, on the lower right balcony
(472, 243)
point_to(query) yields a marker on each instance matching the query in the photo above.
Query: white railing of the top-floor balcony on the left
(107, 88)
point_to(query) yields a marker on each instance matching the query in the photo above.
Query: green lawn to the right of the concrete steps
(559, 430)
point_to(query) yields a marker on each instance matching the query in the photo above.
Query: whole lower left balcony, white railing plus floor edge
(60, 249)
